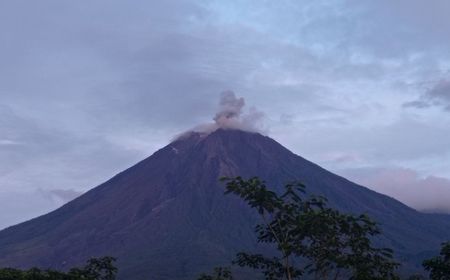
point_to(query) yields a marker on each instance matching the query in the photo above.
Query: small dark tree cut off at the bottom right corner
(439, 267)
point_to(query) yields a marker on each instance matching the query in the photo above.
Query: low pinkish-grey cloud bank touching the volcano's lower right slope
(430, 193)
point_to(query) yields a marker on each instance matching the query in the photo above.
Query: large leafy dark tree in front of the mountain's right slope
(311, 238)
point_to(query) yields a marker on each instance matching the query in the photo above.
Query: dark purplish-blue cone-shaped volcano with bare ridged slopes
(167, 218)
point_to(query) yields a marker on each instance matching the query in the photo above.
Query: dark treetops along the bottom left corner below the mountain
(95, 269)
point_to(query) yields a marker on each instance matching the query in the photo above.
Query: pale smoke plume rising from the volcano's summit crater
(231, 115)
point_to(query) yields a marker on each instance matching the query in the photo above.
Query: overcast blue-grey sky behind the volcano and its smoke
(88, 88)
